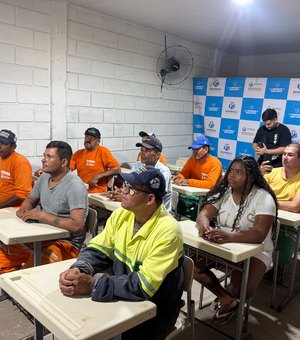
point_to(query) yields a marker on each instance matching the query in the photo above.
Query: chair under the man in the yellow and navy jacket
(185, 321)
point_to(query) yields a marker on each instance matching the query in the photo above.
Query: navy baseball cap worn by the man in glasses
(148, 176)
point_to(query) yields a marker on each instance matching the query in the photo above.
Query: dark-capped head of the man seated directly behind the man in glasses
(151, 149)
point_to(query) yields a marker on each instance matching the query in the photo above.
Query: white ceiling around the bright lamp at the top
(263, 27)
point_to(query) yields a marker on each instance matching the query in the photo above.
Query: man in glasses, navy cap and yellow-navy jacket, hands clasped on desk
(142, 245)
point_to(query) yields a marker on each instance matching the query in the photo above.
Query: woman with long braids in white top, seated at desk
(241, 208)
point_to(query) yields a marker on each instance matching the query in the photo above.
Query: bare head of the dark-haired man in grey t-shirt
(57, 157)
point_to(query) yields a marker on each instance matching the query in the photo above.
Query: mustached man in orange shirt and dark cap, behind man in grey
(95, 164)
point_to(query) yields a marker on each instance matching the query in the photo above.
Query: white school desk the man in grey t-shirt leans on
(13, 230)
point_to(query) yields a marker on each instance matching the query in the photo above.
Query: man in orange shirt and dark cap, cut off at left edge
(15, 172)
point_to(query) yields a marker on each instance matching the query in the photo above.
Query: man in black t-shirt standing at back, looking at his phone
(271, 139)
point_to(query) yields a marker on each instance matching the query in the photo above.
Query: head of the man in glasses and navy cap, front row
(143, 188)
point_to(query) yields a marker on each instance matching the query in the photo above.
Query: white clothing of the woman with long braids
(258, 202)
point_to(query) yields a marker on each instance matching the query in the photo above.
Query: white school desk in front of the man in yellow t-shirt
(292, 220)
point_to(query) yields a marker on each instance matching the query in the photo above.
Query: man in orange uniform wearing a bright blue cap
(201, 170)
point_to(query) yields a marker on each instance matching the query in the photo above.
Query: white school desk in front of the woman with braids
(232, 252)
